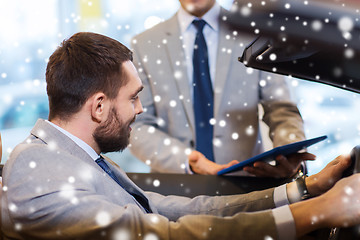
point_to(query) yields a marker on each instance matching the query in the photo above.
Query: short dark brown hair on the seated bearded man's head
(82, 65)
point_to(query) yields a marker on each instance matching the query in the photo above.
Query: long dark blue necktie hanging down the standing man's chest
(203, 94)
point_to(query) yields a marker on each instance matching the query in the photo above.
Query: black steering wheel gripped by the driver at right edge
(350, 232)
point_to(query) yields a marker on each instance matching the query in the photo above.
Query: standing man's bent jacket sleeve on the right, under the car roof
(280, 113)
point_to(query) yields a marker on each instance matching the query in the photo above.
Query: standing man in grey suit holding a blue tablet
(165, 135)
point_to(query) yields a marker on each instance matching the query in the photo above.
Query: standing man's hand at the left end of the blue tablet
(201, 165)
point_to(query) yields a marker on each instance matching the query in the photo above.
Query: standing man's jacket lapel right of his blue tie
(224, 59)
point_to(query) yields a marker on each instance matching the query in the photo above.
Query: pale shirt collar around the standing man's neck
(211, 17)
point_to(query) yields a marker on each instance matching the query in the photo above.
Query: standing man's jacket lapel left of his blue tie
(178, 62)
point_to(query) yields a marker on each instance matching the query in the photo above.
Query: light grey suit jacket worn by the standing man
(165, 131)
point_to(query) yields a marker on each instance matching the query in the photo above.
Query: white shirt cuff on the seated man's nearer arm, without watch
(285, 224)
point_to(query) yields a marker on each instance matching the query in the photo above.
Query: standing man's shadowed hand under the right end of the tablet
(285, 166)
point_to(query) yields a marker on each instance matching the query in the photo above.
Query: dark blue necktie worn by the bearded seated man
(140, 198)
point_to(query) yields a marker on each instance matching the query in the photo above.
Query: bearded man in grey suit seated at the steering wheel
(56, 185)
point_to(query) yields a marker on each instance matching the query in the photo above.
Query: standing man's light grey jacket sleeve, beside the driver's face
(149, 140)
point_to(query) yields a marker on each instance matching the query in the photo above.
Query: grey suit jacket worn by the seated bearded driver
(54, 190)
